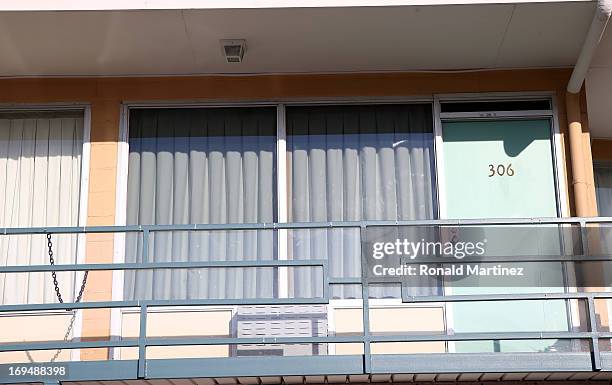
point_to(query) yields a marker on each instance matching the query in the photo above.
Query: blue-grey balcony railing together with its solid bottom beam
(366, 362)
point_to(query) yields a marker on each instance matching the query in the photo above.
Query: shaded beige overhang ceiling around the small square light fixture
(290, 40)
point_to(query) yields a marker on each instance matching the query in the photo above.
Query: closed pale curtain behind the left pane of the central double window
(202, 166)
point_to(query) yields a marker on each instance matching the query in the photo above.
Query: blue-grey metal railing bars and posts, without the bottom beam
(142, 342)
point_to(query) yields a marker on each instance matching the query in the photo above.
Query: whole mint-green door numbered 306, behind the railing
(504, 169)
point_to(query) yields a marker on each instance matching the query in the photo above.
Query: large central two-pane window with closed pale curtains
(217, 165)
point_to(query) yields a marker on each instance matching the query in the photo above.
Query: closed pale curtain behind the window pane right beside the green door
(352, 163)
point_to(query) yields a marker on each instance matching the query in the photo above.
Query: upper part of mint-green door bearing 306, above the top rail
(499, 169)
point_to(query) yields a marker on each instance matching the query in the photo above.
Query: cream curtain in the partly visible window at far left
(40, 174)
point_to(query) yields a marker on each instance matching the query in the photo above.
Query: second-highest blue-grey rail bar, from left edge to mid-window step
(162, 265)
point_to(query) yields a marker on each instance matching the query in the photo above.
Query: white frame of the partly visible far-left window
(83, 202)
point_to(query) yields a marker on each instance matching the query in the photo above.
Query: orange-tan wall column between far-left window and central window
(101, 212)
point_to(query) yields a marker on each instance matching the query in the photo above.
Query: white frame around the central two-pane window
(281, 208)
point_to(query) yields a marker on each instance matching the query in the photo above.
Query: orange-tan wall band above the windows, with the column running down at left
(106, 95)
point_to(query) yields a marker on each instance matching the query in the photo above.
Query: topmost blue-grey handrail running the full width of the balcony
(300, 225)
